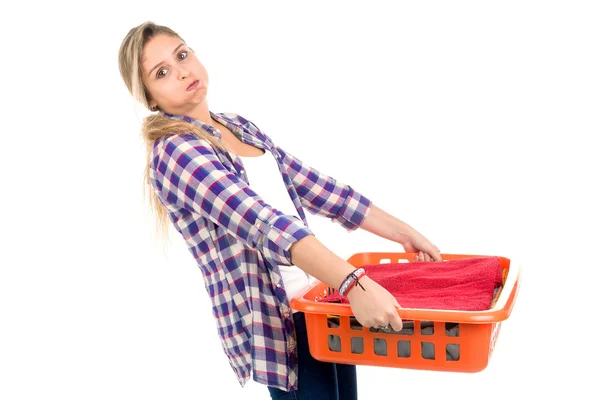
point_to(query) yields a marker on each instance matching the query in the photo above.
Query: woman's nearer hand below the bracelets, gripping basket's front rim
(374, 307)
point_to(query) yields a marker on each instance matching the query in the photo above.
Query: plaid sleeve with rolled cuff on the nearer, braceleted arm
(189, 175)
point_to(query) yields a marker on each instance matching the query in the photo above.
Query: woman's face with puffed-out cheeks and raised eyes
(174, 77)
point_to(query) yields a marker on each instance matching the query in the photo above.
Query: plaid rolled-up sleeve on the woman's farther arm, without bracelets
(323, 195)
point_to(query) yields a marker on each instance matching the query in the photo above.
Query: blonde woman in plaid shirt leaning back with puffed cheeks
(254, 257)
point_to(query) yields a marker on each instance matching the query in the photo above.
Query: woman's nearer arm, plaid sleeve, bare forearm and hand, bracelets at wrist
(190, 175)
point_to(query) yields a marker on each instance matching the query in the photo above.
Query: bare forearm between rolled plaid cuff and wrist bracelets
(311, 256)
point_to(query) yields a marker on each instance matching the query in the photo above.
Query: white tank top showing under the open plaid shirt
(266, 180)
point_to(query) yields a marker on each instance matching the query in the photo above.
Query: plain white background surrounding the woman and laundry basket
(475, 122)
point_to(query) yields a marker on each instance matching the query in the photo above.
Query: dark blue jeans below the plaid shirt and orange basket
(318, 380)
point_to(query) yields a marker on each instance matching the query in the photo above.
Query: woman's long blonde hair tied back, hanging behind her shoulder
(154, 126)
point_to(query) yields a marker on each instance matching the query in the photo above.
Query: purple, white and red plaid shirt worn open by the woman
(238, 240)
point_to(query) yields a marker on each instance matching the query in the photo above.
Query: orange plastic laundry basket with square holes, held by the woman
(438, 340)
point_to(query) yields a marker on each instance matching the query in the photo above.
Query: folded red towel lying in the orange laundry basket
(466, 284)
